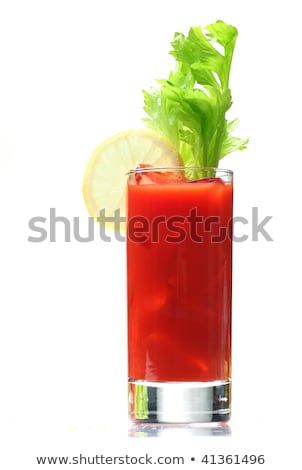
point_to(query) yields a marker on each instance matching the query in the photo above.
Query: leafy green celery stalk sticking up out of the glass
(189, 107)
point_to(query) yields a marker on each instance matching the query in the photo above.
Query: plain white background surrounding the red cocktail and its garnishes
(71, 75)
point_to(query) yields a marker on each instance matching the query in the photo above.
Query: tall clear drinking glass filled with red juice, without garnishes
(179, 275)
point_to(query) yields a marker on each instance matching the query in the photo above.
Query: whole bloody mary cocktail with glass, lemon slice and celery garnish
(178, 231)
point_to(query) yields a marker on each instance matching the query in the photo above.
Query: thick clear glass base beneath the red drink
(179, 402)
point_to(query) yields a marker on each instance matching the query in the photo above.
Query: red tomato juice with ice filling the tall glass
(179, 256)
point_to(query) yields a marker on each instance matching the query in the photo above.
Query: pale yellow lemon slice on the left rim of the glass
(105, 179)
